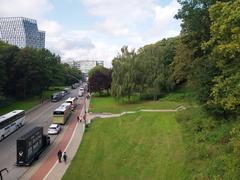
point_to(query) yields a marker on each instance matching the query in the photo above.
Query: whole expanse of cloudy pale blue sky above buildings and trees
(97, 29)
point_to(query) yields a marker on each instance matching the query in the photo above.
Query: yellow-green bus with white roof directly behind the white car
(62, 113)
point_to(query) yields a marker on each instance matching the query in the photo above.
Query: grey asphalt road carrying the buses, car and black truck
(42, 116)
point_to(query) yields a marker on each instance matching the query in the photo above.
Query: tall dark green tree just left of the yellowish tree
(195, 32)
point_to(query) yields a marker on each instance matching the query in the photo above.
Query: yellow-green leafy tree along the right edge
(225, 52)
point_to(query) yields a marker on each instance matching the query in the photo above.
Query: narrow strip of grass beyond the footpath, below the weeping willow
(109, 104)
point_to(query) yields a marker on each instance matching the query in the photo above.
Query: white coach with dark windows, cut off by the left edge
(11, 122)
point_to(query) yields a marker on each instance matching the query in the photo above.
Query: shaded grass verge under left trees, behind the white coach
(20, 104)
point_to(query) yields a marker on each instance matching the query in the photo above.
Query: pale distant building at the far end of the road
(86, 65)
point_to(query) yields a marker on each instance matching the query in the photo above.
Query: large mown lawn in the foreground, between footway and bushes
(135, 146)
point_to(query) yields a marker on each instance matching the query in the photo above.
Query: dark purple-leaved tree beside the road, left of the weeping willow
(100, 79)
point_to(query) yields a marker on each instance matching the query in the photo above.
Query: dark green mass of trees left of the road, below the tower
(26, 72)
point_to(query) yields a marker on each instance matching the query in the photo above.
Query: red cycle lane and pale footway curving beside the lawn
(50, 168)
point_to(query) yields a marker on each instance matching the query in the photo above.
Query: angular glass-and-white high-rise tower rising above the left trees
(22, 32)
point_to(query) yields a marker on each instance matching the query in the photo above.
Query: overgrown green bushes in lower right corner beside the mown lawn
(213, 145)
